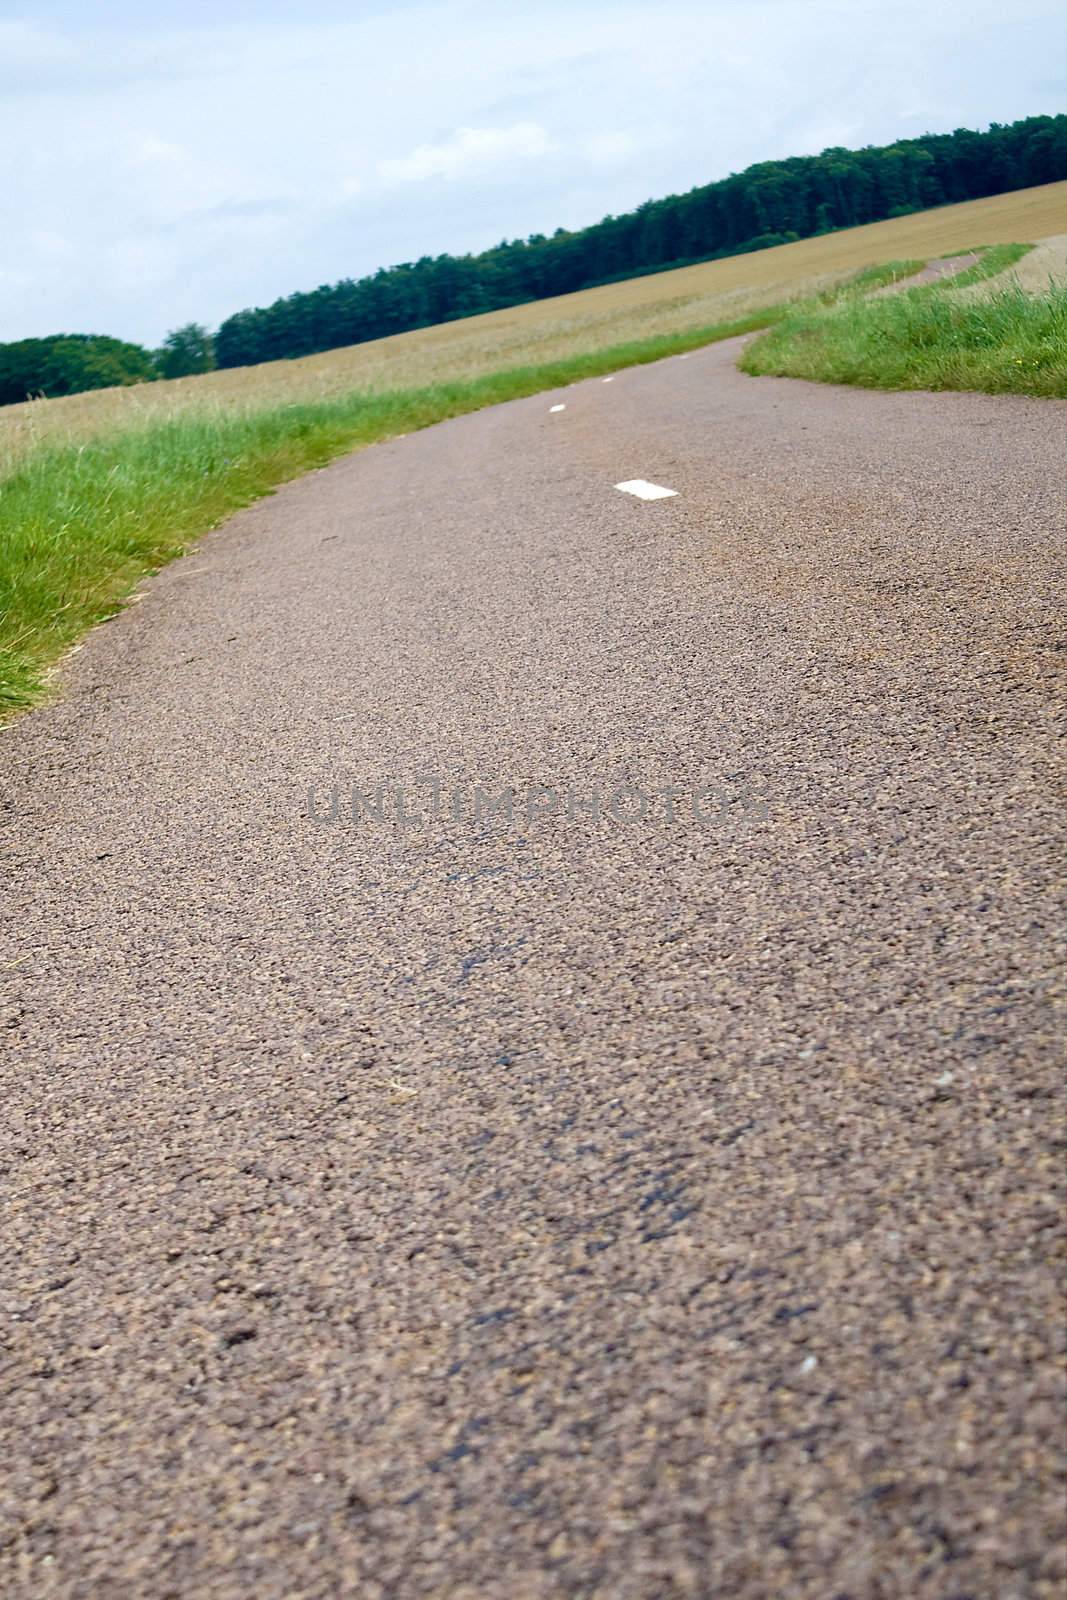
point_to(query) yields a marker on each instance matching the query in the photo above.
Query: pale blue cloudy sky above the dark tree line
(169, 162)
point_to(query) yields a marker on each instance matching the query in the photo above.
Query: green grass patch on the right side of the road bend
(929, 338)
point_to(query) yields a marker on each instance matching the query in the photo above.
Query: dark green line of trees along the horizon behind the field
(767, 204)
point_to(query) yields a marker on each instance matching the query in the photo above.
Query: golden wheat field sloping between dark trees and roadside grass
(569, 326)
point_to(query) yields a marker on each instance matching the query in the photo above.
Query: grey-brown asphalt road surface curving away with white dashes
(652, 1194)
